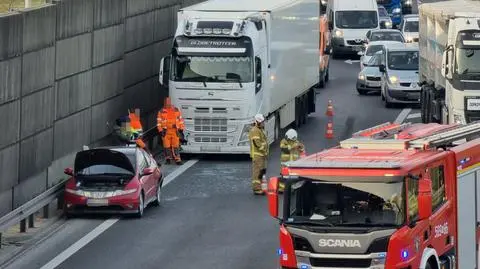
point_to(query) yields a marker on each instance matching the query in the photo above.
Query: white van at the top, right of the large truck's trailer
(349, 21)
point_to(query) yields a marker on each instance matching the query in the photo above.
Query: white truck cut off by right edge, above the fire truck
(450, 61)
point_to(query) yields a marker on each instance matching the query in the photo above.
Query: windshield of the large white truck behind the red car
(212, 69)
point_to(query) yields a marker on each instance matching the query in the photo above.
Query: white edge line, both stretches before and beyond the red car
(106, 224)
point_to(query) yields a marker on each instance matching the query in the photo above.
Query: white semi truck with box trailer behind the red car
(233, 59)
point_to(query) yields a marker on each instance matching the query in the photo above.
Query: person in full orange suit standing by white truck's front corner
(170, 125)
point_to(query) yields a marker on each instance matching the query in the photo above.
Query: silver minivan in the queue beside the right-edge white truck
(400, 75)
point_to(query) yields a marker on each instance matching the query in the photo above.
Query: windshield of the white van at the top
(356, 19)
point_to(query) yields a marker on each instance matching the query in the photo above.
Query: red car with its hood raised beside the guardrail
(119, 180)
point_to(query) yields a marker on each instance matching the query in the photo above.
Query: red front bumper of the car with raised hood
(124, 204)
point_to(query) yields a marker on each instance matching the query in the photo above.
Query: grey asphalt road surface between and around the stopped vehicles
(209, 218)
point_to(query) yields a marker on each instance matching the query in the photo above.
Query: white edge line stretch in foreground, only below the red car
(79, 244)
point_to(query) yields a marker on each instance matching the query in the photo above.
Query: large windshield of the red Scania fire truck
(343, 203)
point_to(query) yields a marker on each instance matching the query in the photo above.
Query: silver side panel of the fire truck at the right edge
(468, 196)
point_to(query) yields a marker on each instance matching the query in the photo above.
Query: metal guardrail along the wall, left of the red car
(26, 210)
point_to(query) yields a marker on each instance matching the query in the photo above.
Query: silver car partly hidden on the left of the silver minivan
(370, 78)
